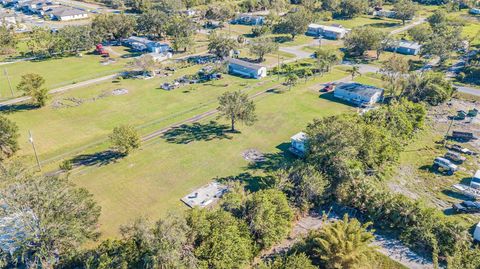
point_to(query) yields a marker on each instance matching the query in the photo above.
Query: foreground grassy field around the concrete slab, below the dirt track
(151, 181)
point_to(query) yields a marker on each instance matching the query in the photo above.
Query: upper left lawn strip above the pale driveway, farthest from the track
(57, 72)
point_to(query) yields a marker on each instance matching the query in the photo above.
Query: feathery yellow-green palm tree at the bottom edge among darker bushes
(342, 244)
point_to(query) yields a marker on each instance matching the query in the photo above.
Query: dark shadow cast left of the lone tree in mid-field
(187, 133)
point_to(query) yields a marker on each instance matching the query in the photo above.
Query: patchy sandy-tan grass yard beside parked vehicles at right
(415, 179)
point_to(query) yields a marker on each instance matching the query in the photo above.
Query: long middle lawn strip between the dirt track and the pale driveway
(60, 130)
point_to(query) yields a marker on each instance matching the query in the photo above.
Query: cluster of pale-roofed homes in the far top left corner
(46, 8)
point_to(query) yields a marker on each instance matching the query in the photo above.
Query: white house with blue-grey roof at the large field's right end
(358, 94)
